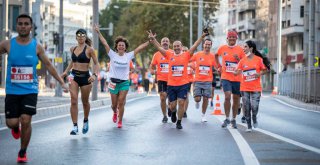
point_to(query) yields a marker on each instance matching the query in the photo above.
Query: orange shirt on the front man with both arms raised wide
(178, 64)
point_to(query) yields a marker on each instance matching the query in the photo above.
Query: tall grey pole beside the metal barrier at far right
(311, 47)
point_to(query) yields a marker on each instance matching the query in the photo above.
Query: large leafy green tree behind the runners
(168, 18)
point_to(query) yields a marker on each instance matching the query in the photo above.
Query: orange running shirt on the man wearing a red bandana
(229, 63)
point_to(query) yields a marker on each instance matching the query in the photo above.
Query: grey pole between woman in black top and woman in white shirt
(95, 20)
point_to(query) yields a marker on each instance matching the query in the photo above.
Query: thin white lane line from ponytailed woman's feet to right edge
(305, 146)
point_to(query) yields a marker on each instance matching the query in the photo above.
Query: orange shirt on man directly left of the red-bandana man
(204, 63)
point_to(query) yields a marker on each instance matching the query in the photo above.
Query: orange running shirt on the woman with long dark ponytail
(249, 67)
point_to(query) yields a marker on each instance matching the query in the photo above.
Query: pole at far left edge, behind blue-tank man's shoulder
(4, 30)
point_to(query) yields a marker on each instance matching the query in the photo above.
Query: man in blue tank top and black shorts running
(22, 82)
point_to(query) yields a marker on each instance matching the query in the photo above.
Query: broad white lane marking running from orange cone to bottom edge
(248, 155)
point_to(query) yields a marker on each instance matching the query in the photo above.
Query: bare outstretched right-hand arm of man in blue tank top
(44, 59)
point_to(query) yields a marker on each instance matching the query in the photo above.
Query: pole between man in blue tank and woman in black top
(58, 91)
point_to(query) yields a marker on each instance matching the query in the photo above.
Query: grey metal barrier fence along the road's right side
(295, 85)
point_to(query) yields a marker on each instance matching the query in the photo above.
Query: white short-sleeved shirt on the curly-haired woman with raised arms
(120, 65)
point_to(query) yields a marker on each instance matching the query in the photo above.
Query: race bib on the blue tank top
(22, 74)
